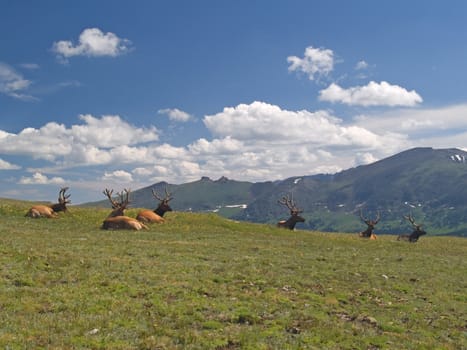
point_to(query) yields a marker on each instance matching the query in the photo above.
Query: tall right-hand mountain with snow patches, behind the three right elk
(432, 184)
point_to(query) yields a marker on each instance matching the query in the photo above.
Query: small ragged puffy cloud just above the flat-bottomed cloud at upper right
(315, 63)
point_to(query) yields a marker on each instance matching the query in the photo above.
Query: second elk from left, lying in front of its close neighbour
(116, 219)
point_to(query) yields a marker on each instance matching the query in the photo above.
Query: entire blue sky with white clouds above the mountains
(118, 94)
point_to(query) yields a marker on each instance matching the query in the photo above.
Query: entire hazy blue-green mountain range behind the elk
(430, 184)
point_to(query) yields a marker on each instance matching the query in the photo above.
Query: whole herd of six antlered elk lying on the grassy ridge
(118, 220)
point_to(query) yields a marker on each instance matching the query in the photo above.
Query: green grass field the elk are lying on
(199, 281)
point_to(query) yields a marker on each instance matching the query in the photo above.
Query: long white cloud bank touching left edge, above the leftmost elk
(88, 143)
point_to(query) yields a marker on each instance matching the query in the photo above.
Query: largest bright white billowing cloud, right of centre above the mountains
(262, 122)
